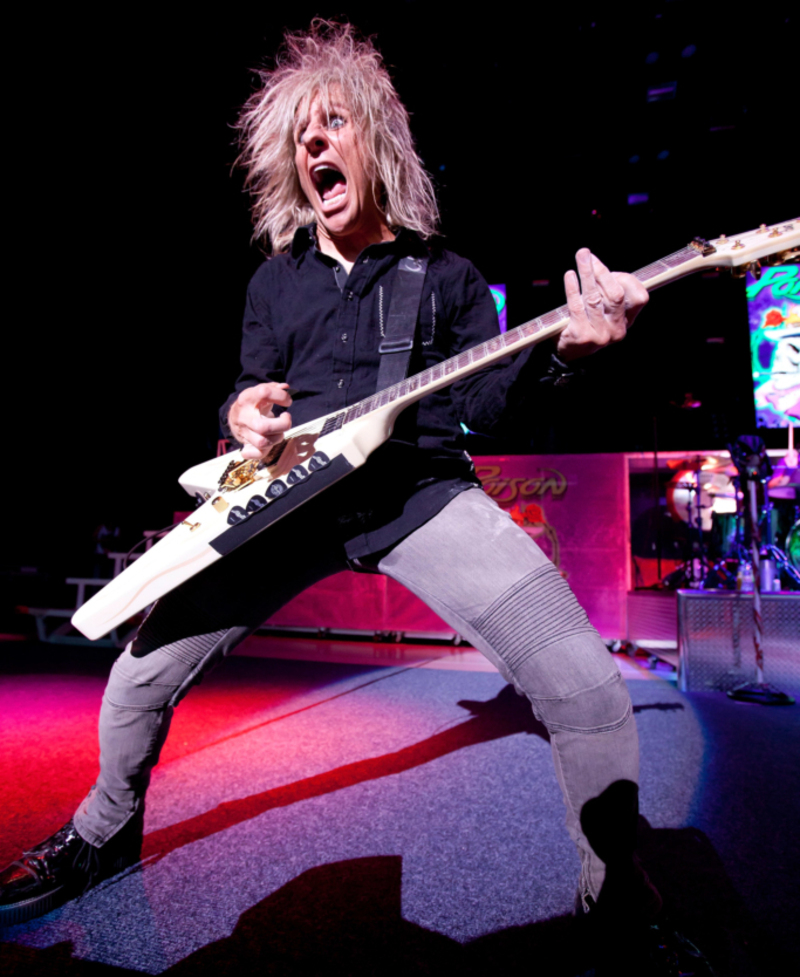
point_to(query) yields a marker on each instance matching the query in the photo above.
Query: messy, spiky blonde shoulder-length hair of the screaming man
(330, 58)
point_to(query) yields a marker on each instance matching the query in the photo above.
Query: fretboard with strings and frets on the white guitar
(511, 341)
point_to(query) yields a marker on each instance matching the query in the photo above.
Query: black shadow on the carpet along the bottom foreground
(345, 918)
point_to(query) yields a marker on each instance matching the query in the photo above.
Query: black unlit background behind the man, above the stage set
(130, 235)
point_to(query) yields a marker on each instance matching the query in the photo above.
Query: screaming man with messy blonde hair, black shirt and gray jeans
(342, 198)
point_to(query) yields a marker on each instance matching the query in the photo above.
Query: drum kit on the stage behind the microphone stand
(710, 495)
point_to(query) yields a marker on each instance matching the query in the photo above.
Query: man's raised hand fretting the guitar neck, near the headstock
(602, 306)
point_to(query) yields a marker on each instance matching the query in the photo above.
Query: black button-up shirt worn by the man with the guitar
(310, 324)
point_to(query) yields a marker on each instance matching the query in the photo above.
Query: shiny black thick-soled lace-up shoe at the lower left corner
(61, 868)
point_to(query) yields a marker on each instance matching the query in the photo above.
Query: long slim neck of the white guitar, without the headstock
(400, 395)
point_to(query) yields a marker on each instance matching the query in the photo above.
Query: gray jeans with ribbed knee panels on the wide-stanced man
(471, 564)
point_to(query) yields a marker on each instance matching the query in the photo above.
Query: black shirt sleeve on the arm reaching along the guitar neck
(490, 399)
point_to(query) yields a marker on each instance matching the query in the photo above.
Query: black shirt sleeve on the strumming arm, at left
(261, 358)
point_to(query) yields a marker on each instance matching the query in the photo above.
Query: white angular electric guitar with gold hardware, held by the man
(242, 498)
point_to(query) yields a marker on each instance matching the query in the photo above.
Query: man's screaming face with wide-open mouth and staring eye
(332, 173)
